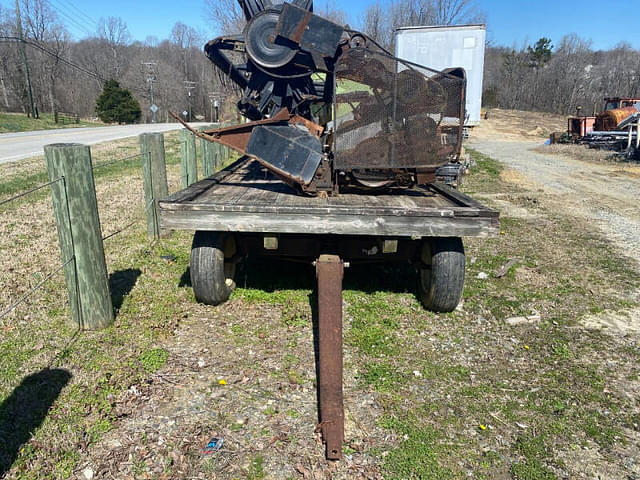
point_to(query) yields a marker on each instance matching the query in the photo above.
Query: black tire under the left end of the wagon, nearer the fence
(212, 268)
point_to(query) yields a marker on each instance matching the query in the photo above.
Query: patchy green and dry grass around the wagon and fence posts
(428, 396)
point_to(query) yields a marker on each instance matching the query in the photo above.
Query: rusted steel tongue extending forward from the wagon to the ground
(329, 271)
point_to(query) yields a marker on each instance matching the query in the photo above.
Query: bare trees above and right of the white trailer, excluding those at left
(540, 77)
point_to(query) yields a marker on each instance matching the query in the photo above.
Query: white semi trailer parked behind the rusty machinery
(448, 47)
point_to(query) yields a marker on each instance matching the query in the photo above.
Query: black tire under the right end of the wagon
(441, 273)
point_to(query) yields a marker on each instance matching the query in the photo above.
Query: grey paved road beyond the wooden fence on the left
(16, 146)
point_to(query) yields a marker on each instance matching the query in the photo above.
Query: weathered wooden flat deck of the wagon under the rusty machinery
(245, 197)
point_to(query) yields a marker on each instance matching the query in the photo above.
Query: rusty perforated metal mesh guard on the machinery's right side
(392, 114)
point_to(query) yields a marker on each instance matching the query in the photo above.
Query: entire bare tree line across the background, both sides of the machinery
(68, 75)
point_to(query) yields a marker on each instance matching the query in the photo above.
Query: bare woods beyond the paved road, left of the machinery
(68, 75)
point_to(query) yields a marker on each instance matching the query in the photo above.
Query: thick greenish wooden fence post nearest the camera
(76, 212)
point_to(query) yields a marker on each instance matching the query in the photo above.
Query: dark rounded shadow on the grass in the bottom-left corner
(22, 412)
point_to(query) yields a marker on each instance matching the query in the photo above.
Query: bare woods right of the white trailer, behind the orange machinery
(560, 78)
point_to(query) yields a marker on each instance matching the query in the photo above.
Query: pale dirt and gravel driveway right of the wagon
(578, 181)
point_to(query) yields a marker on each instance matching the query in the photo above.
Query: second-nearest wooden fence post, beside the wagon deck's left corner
(154, 176)
